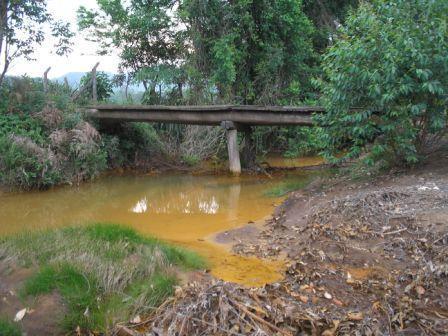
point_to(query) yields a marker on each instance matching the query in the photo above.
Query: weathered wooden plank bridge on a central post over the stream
(232, 118)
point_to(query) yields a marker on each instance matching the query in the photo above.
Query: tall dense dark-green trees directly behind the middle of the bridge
(252, 51)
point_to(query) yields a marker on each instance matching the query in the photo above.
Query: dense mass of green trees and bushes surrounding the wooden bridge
(386, 59)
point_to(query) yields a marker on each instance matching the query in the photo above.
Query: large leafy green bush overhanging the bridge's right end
(391, 64)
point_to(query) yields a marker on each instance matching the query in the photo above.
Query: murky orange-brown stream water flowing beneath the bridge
(183, 209)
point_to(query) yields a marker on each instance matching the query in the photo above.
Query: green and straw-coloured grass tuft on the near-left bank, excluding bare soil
(105, 273)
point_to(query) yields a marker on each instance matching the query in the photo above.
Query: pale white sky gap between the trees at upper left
(83, 57)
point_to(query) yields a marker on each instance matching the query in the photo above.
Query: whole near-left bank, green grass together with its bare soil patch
(86, 279)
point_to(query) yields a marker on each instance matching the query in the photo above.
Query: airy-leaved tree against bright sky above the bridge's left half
(141, 30)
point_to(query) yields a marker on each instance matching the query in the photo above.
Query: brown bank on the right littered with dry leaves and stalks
(365, 257)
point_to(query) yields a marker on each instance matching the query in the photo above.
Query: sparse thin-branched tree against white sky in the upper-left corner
(22, 25)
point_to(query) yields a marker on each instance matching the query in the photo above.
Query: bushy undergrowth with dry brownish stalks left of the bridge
(42, 145)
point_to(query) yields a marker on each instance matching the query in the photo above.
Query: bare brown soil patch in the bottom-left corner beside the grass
(42, 314)
